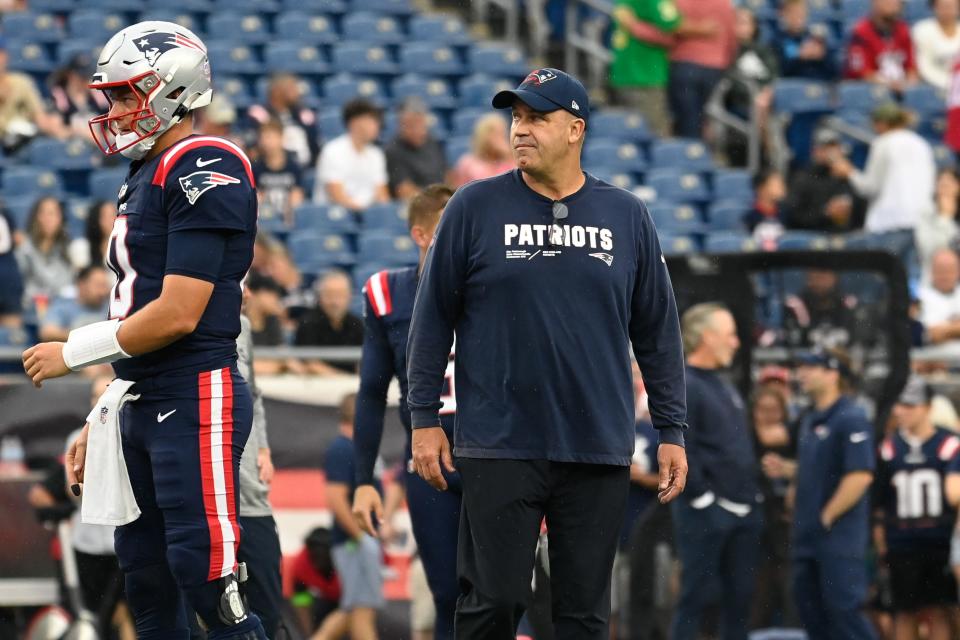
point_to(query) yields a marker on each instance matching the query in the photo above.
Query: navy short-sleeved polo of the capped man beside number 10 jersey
(831, 444)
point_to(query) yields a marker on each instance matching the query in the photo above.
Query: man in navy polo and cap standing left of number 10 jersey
(835, 462)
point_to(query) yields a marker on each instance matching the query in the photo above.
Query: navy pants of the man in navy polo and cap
(830, 592)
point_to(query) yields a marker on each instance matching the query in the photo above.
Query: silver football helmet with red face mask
(166, 67)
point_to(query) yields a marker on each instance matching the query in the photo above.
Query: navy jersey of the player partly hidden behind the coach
(387, 307)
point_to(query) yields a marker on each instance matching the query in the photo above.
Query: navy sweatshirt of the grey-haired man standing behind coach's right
(720, 453)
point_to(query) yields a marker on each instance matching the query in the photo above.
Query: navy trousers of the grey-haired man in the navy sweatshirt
(715, 545)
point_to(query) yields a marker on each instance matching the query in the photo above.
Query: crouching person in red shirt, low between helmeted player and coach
(316, 589)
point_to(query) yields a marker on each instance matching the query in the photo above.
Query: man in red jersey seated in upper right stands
(881, 49)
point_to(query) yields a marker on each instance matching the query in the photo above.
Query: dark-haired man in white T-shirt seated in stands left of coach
(352, 170)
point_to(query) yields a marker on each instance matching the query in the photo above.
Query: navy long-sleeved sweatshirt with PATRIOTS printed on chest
(544, 329)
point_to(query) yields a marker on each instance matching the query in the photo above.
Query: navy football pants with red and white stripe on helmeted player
(182, 442)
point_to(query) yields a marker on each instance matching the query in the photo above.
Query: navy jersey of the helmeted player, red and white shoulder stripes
(190, 211)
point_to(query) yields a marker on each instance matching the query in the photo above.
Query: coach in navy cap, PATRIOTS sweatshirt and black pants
(546, 275)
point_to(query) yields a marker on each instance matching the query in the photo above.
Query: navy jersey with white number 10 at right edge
(909, 489)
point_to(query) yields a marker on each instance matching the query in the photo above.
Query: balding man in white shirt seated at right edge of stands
(940, 298)
